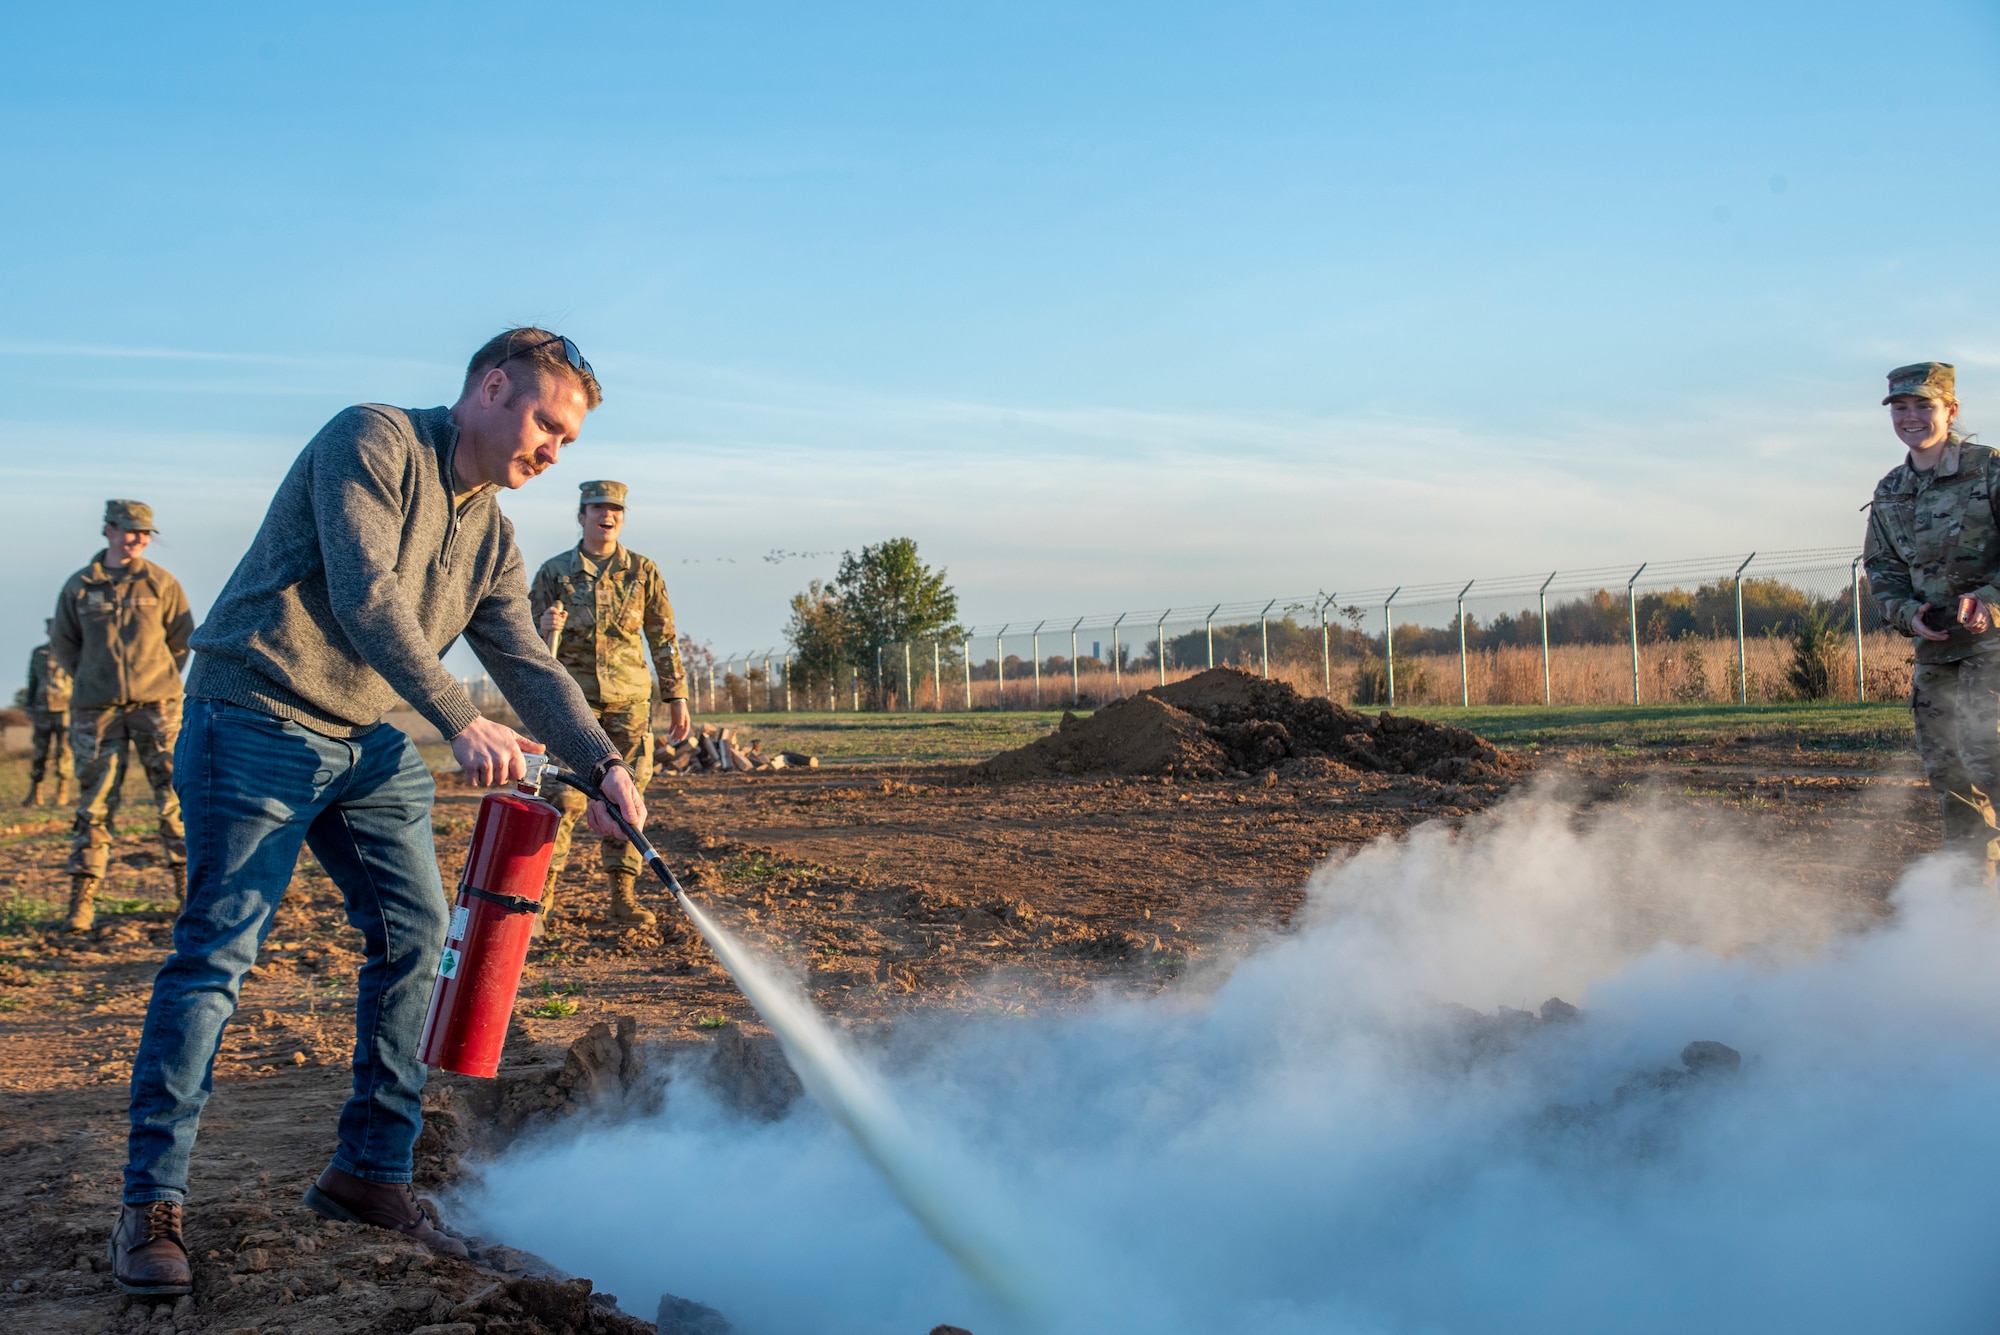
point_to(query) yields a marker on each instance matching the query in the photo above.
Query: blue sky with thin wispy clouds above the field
(1103, 305)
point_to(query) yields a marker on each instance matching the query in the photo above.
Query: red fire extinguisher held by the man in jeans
(493, 918)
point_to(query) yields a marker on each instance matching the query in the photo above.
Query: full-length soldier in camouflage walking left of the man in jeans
(121, 633)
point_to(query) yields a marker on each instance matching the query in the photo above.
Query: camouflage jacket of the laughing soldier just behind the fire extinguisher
(613, 625)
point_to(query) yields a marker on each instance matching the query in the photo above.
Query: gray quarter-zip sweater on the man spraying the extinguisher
(363, 577)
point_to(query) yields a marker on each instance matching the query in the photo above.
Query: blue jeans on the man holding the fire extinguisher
(253, 788)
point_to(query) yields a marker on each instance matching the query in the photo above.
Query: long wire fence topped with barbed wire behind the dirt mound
(1525, 639)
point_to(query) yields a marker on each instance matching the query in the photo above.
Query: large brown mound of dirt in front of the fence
(1227, 720)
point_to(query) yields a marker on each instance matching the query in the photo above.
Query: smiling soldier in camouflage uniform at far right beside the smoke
(1933, 559)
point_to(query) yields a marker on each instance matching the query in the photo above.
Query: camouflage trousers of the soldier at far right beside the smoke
(1959, 738)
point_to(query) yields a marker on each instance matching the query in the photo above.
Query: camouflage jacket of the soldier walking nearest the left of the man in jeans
(123, 635)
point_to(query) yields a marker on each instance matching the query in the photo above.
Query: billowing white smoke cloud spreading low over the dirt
(1319, 1142)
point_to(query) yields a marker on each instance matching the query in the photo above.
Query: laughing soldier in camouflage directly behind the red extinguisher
(605, 611)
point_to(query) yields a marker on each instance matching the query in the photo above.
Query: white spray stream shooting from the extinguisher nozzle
(913, 1166)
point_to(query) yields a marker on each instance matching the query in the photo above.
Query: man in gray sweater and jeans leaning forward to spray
(383, 547)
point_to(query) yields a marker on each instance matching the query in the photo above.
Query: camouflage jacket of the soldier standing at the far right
(1933, 539)
